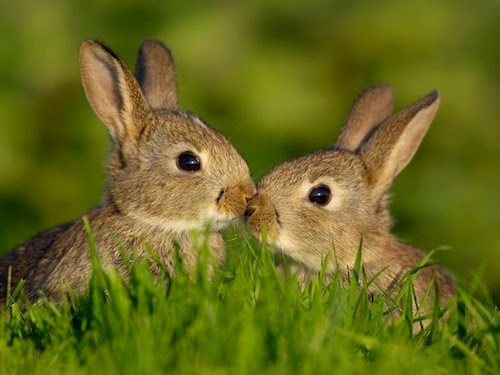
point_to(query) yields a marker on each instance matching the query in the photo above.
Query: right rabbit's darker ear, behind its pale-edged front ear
(370, 108)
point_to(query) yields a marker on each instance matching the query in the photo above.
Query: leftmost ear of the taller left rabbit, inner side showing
(113, 92)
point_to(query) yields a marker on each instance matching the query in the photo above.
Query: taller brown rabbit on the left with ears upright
(169, 174)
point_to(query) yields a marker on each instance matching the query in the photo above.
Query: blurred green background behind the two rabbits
(278, 78)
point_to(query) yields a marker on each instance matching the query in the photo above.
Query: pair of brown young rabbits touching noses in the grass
(170, 174)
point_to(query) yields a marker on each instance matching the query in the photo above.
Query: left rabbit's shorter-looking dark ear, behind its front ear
(154, 69)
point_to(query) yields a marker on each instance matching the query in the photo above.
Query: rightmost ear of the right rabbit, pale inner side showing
(395, 141)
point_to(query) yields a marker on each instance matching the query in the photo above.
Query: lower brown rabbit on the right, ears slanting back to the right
(321, 205)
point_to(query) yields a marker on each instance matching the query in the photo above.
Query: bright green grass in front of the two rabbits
(244, 320)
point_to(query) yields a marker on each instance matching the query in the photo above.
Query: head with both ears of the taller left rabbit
(167, 168)
